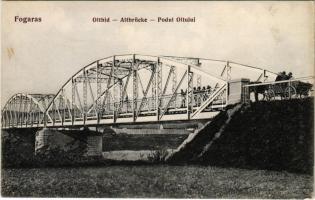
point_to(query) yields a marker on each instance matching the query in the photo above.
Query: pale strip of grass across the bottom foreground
(159, 181)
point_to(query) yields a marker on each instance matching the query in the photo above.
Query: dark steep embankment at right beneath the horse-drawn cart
(275, 135)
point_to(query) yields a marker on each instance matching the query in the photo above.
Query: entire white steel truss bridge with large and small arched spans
(130, 89)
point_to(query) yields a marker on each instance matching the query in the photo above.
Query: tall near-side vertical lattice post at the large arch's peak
(135, 87)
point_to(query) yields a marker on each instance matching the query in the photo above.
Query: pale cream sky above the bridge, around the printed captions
(40, 57)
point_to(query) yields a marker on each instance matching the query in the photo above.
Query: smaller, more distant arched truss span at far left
(25, 110)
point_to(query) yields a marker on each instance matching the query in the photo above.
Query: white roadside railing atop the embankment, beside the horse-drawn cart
(279, 90)
